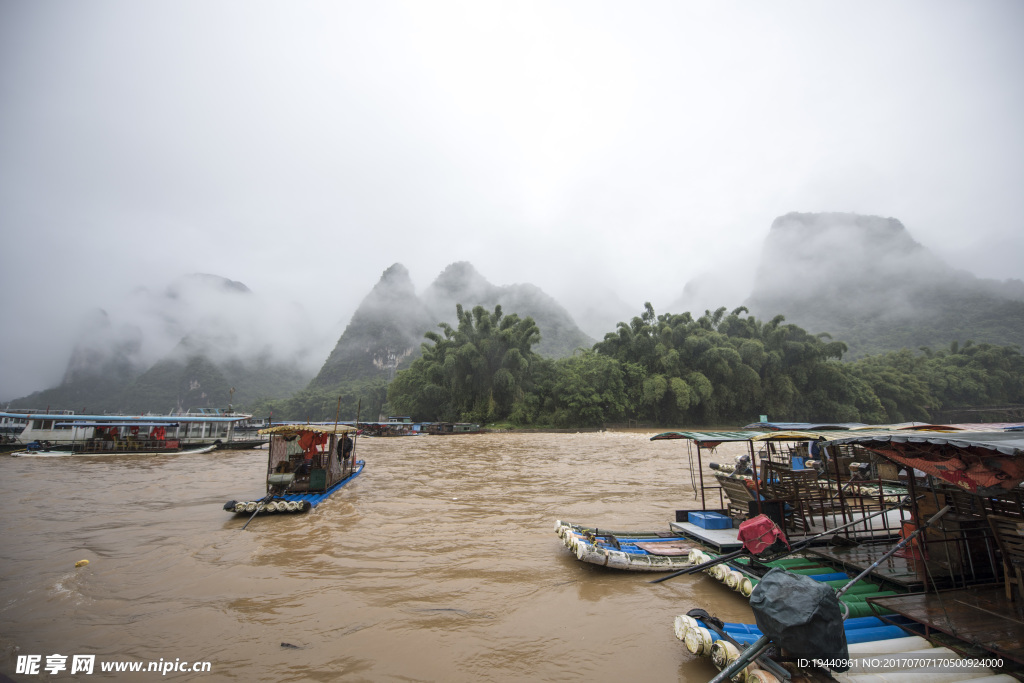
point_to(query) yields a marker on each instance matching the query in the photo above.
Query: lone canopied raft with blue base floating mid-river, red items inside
(307, 464)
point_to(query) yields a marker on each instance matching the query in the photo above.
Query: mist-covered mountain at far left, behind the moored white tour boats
(187, 346)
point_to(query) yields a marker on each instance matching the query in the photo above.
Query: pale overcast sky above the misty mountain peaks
(594, 149)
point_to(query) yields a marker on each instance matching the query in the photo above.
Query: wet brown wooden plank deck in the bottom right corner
(980, 616)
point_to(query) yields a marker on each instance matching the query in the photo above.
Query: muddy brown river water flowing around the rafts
(439, 564)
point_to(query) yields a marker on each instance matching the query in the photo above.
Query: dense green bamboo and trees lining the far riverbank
(677, 370)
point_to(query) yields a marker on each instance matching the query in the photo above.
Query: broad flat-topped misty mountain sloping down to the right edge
(866, 281)
